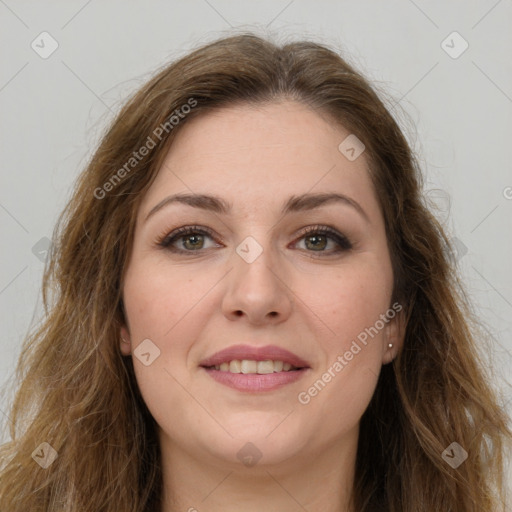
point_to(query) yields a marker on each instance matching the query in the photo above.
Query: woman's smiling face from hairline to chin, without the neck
(271, 270)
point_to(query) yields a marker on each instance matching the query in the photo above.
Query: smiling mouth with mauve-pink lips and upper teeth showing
(255, 369)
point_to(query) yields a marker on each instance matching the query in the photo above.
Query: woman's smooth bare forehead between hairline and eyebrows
(265, 153)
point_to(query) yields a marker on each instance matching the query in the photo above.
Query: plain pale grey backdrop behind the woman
(444, 65)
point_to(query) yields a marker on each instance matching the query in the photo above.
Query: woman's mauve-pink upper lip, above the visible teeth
(266, 353)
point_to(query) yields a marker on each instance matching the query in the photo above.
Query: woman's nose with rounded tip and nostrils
(258, 291)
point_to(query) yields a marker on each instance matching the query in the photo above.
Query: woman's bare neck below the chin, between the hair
(313, 482)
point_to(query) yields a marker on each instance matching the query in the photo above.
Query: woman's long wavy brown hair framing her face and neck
(79, 394)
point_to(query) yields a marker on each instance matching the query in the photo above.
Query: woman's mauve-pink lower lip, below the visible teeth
(255, 382)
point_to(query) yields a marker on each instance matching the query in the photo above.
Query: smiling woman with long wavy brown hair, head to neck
(253, 309)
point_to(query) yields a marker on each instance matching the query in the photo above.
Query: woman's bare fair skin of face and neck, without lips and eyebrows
(304, 292)
